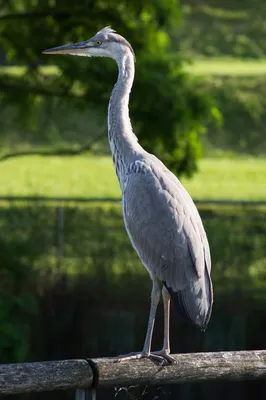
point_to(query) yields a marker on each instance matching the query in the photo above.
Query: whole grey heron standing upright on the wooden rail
(160, 217)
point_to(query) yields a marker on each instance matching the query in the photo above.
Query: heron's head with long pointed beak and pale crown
(106, 43)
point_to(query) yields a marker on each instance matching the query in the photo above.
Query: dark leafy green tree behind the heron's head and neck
(166, 109)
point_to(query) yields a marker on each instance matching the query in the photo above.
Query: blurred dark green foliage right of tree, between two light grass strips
(243, 103)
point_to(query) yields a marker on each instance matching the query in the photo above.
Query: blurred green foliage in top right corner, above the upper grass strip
(225, 29)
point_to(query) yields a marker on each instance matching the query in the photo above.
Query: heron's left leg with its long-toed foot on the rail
(146, 352)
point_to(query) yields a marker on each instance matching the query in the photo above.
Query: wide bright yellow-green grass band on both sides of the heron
(241, 178)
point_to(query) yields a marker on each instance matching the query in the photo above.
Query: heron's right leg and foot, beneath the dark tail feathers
(165, 352)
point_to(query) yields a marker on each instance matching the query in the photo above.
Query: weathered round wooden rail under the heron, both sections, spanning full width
(106, 372)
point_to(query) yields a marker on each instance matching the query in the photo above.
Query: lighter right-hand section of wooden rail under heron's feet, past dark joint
(196, 367)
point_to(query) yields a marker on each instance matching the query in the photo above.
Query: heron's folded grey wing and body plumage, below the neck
(166, 231)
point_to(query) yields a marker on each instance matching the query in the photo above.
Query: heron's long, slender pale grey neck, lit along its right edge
(124, 144)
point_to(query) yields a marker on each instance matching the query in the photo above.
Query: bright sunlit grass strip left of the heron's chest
(59, 176)
